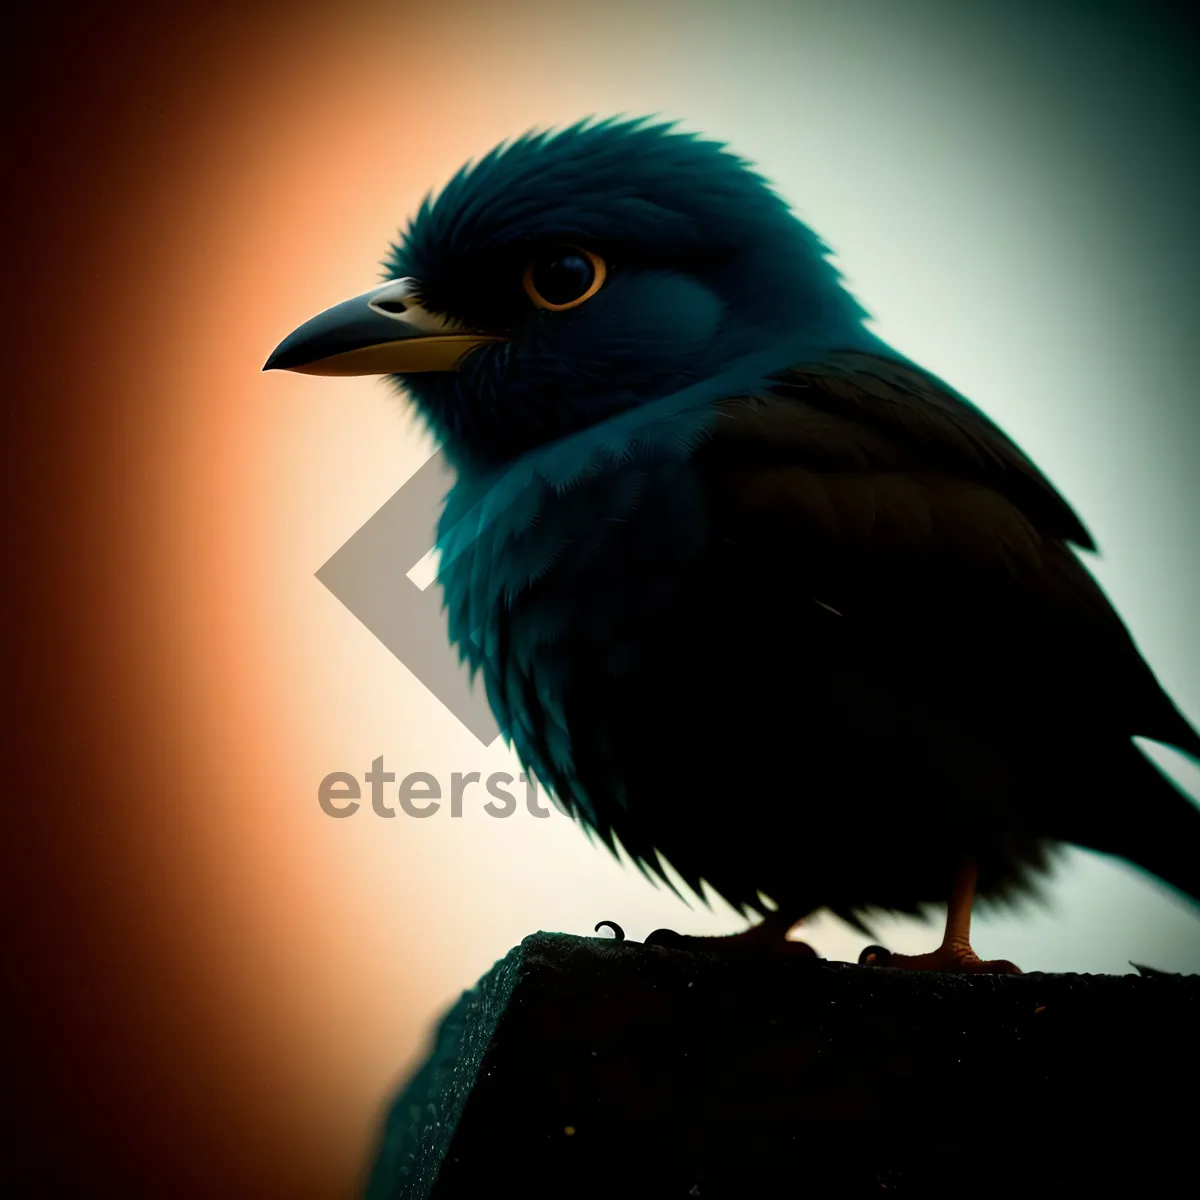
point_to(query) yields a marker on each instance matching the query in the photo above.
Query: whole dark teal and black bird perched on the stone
(763, 602)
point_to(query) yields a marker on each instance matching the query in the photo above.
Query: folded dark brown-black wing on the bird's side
(938, 536)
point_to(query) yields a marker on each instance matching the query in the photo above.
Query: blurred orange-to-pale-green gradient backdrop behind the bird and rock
(218, 986)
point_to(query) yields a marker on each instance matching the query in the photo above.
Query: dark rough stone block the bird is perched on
(585, 1067)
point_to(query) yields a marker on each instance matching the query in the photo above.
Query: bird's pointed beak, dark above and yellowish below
(383, 332)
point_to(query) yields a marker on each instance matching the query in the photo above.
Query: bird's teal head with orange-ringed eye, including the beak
(568, 277)
